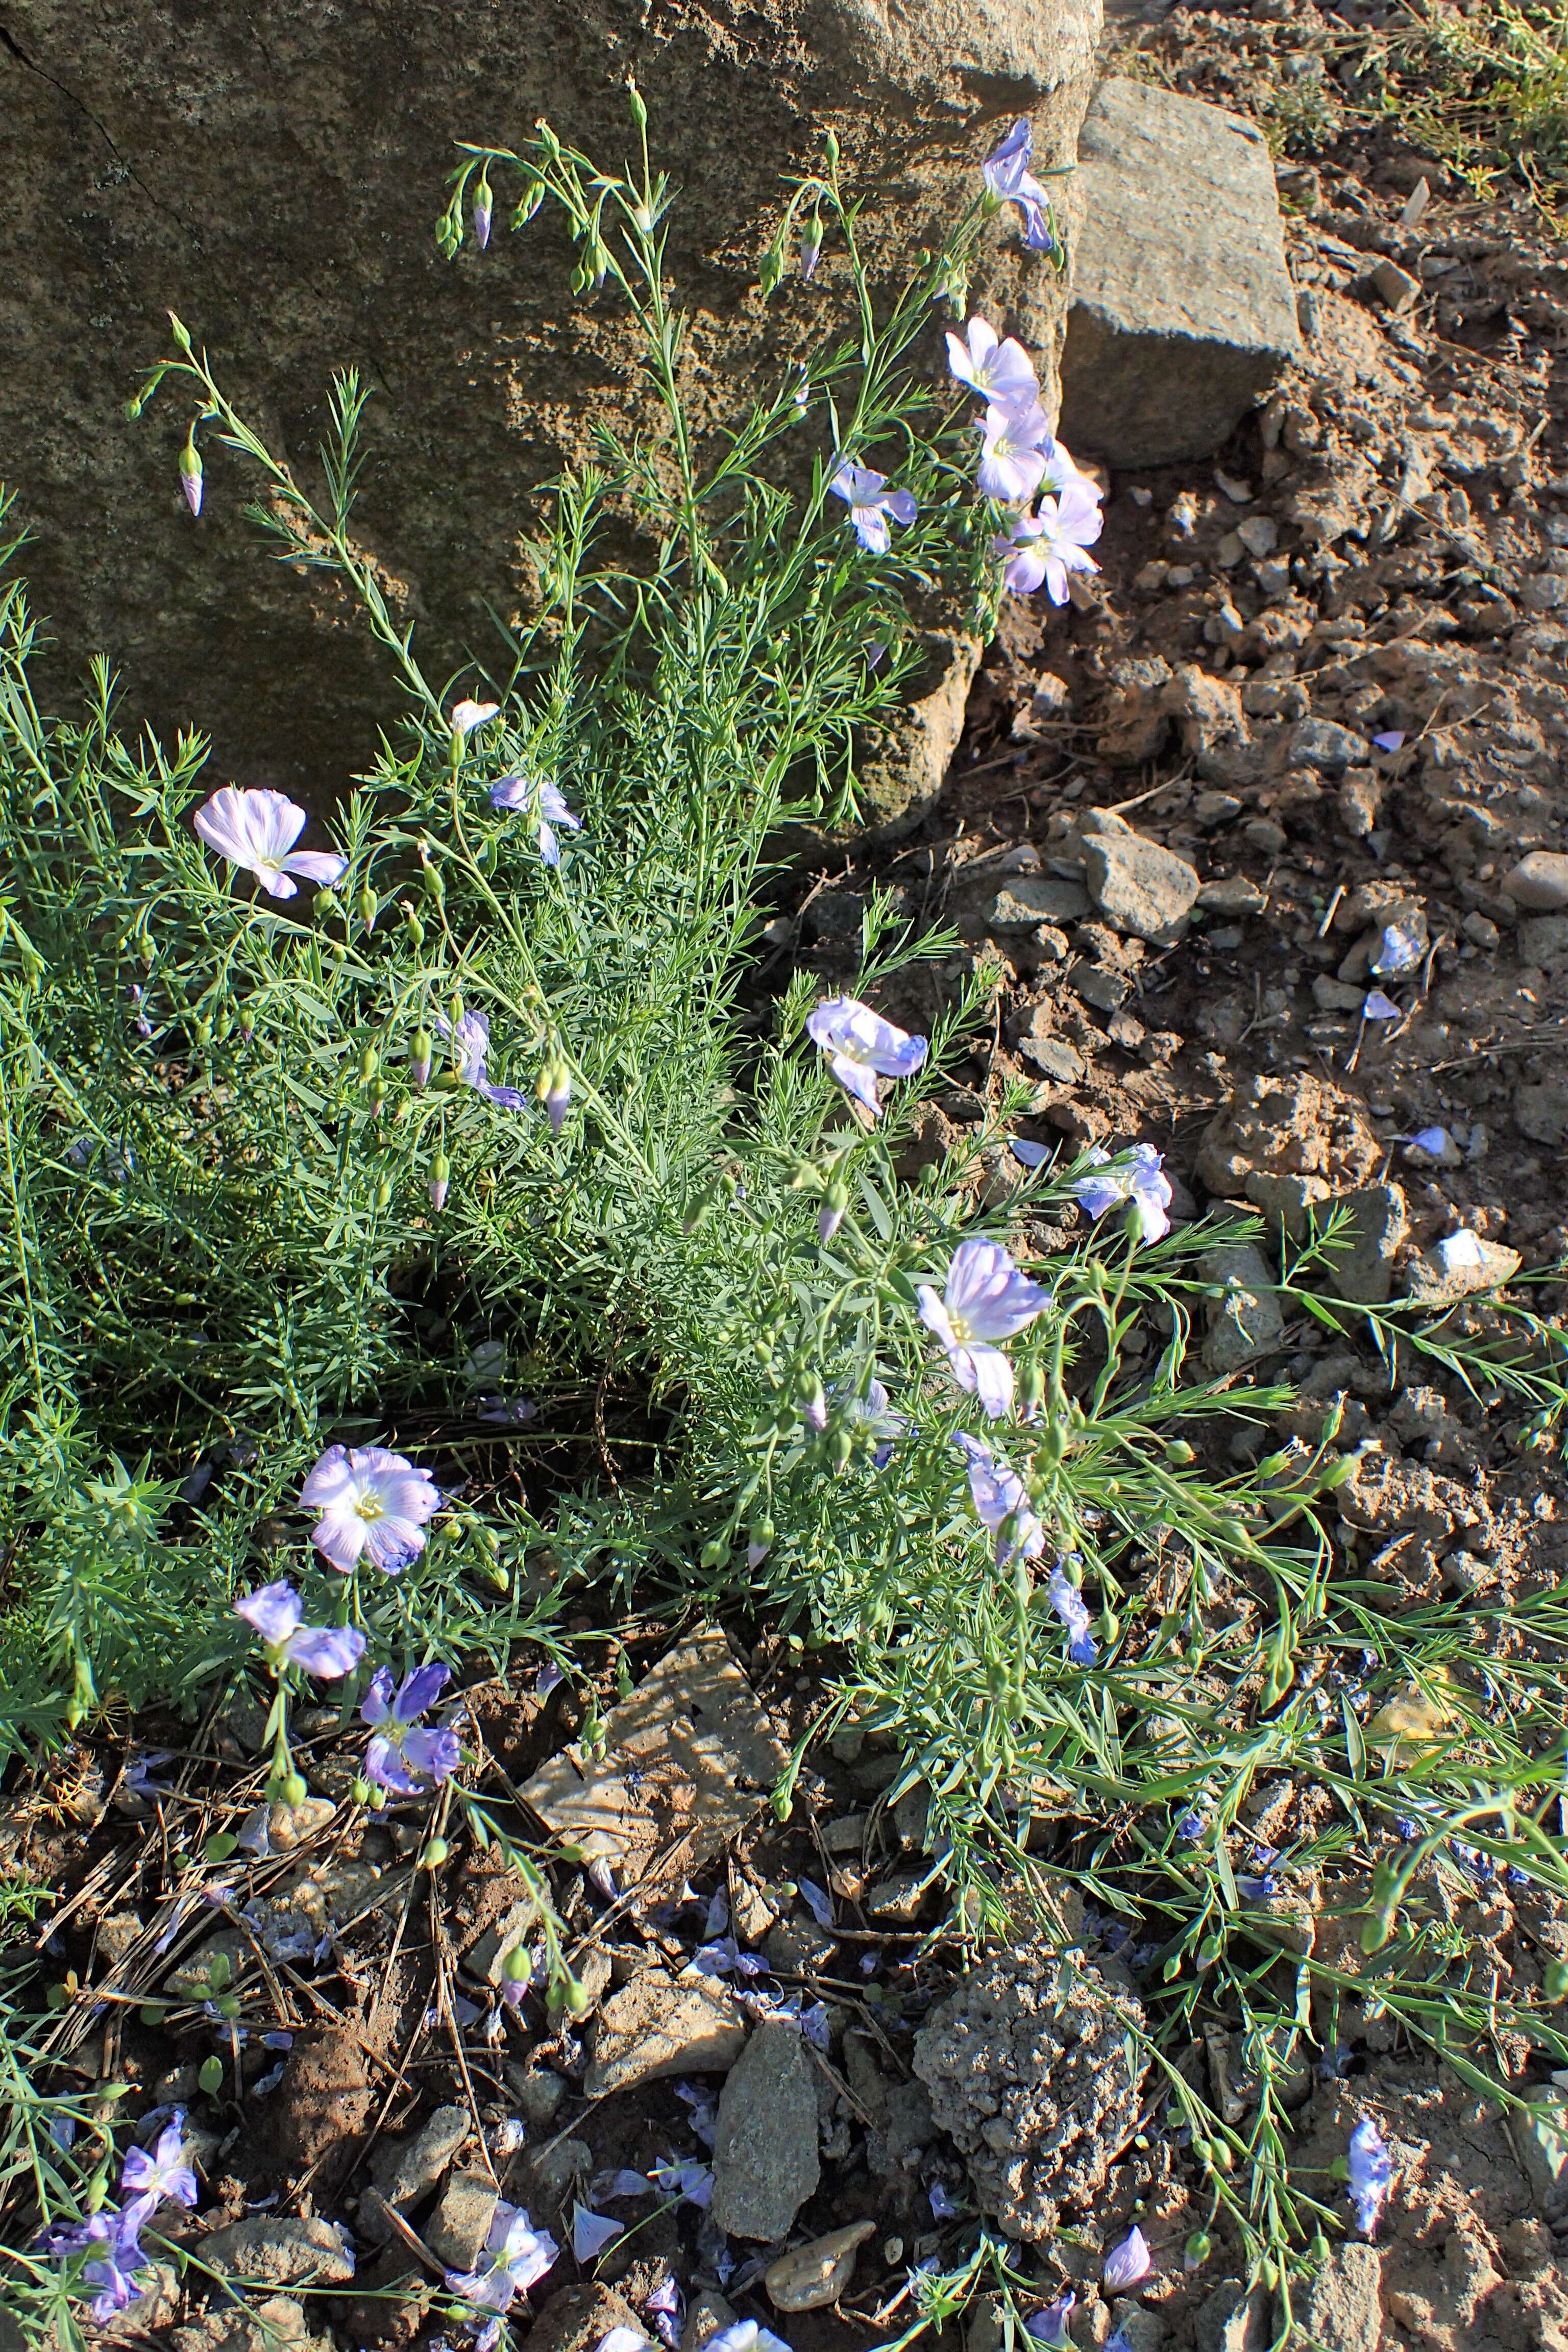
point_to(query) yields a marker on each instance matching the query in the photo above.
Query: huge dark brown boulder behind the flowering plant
(276, 175)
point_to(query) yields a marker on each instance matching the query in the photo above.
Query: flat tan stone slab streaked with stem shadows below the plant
(690, 1758)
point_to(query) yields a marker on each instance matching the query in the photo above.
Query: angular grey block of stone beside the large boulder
(1184, 312)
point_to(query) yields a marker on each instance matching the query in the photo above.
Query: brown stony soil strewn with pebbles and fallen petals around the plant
(1327, 674)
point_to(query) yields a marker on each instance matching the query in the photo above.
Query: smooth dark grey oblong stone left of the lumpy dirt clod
(765, 2149)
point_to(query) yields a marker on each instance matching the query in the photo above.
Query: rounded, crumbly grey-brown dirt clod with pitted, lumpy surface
(1028, 2073)
